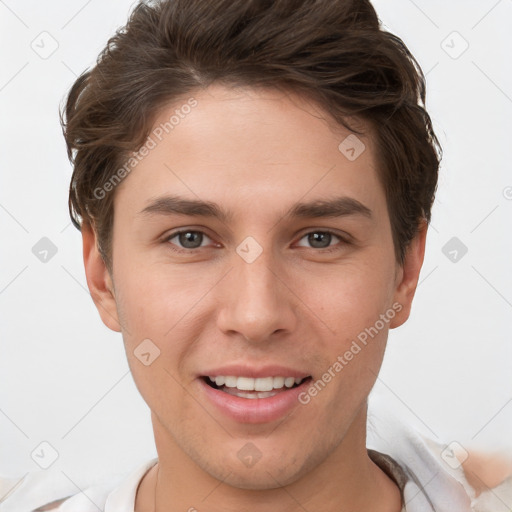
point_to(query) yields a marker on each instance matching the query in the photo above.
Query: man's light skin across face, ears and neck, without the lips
(256, 155)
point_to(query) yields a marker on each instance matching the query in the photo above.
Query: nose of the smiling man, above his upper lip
(256, 301)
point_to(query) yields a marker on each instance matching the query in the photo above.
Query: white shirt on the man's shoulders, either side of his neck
(428, 477)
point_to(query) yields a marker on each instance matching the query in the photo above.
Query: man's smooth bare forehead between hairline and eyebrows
(261, 147)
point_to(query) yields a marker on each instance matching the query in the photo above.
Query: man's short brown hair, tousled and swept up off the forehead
(333, 52)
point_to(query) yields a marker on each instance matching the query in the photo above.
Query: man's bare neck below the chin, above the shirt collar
(347, 479)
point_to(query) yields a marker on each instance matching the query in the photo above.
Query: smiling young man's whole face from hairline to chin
(270, 283)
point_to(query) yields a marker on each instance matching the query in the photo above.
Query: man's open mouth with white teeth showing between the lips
(250, 388)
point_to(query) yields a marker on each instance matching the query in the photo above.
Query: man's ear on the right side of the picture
(408, 274)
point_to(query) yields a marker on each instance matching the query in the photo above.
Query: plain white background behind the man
(64, 376)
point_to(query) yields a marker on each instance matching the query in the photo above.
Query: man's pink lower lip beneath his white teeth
(255, 410)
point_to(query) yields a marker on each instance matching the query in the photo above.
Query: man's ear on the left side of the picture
(99, 280)
